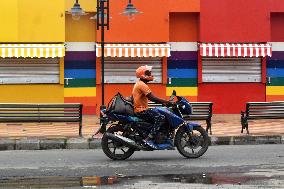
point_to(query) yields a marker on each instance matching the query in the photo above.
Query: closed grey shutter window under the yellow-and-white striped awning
(29, 70)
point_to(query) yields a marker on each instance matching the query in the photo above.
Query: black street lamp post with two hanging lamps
(102, 22)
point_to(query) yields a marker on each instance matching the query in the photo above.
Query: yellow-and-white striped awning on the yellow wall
(32, 50)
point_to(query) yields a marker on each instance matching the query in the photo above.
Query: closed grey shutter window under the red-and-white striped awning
(231, 69)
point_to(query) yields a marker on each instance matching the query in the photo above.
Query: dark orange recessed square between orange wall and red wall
(184, 27)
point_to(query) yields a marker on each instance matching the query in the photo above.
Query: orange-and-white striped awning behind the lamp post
(134, 50)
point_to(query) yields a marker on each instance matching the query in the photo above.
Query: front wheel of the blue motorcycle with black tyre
(192, 144)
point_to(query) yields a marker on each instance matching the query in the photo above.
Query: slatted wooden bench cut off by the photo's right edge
(261, 110)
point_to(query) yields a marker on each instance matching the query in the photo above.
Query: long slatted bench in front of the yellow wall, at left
(20, 112)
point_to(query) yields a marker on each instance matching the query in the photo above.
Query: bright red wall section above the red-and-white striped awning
(234, 21)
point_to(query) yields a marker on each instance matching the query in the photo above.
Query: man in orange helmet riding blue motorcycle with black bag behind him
(159, 128)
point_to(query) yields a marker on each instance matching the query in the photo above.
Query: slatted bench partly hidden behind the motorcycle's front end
(200, 111)
